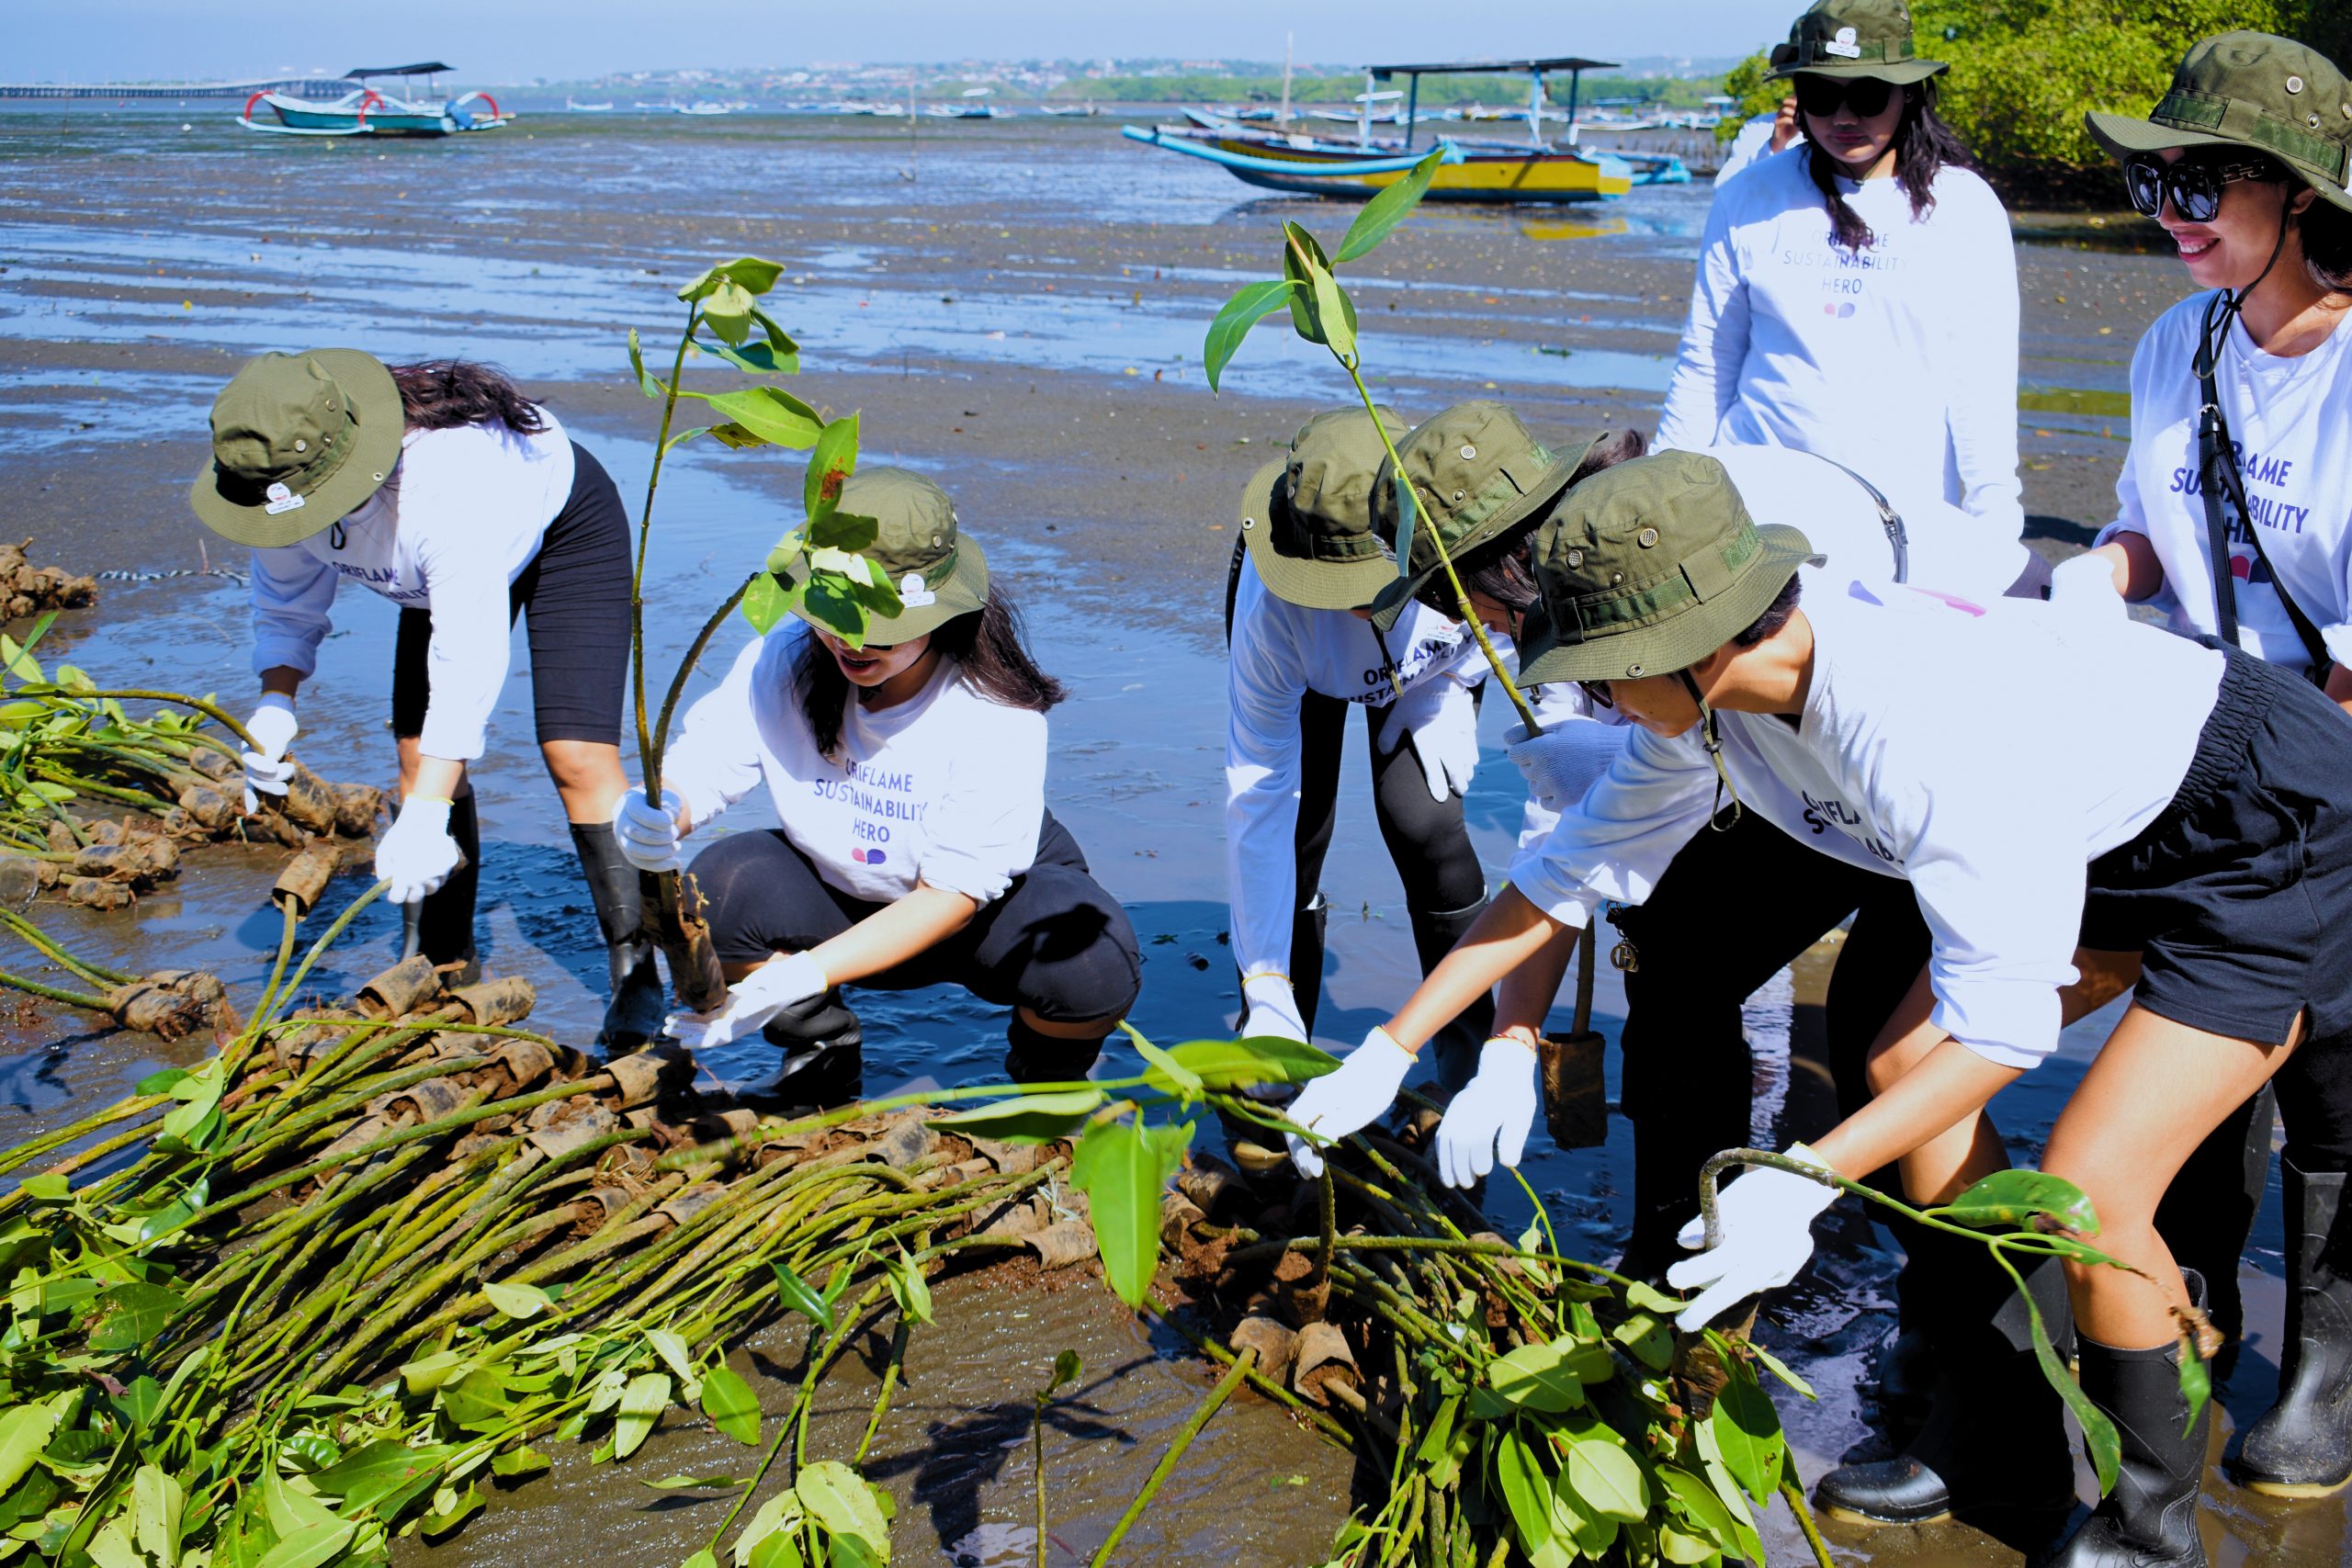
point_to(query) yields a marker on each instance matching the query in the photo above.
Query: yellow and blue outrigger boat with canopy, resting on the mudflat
(1476, 170)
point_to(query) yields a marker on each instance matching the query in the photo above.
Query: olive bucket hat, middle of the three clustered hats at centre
(1478, 471)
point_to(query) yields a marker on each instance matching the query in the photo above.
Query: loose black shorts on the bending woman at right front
(2240, 894)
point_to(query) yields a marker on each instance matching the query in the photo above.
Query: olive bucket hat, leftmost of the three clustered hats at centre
(1307, 518)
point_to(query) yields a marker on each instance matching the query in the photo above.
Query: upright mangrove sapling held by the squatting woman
(841, 589)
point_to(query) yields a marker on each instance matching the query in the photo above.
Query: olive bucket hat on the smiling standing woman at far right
(2250, 91)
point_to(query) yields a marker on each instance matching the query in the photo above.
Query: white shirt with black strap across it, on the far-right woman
(2287, 422)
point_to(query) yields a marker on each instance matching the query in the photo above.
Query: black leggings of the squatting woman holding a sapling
(1055, 944)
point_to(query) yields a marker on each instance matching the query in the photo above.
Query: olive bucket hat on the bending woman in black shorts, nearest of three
(1648, 568)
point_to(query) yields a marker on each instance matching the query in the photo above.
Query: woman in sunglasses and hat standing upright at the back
(1859, 295)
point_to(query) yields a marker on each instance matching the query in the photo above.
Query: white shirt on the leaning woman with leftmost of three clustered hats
(1276, 657)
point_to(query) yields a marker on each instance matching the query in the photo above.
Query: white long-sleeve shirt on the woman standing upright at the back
(1899, 361)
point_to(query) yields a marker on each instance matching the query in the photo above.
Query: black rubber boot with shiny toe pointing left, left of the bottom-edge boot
(1996, 1433)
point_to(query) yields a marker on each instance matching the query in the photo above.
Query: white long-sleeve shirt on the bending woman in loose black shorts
(1942, 742)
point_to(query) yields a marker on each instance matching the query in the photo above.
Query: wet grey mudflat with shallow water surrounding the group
(1022, 321)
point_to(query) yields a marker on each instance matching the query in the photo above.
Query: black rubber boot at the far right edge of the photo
(2304, 1445)
